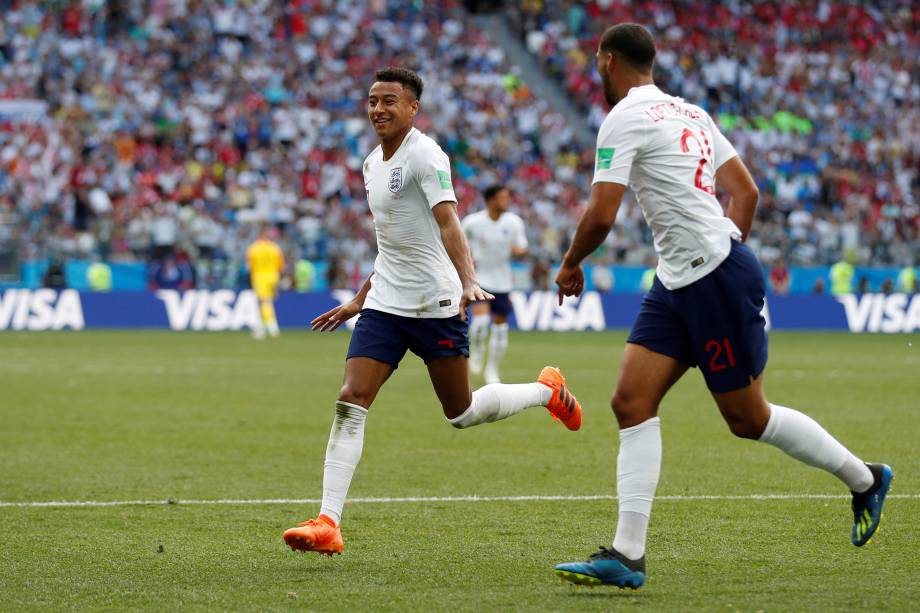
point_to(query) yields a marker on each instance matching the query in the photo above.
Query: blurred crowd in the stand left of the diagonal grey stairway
(173, 128)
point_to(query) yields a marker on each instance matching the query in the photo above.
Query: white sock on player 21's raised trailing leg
(804, 439)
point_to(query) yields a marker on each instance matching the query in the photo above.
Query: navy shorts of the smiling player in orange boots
(386, 337)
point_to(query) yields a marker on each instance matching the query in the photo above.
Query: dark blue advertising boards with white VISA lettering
(45, 309)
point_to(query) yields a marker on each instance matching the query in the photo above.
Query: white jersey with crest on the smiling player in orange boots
(413, 275)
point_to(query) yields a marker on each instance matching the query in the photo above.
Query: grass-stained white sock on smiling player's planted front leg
(342, 455)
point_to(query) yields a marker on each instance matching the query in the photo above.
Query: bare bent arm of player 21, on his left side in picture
(593, 228)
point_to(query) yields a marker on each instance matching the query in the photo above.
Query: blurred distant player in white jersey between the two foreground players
(496, 235)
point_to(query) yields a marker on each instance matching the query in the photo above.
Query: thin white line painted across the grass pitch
(420, 499)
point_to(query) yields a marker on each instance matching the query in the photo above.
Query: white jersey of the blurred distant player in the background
(490, 243)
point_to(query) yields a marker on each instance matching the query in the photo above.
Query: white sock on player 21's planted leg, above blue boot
(638, 467)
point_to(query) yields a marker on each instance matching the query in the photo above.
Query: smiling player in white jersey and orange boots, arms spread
(415, 299)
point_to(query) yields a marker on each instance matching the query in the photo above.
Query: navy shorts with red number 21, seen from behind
(715, 323)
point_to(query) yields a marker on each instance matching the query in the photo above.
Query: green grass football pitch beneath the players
(146, 415)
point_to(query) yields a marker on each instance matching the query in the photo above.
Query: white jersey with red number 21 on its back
(668, 151)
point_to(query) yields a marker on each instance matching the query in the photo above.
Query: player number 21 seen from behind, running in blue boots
(704, 308)
